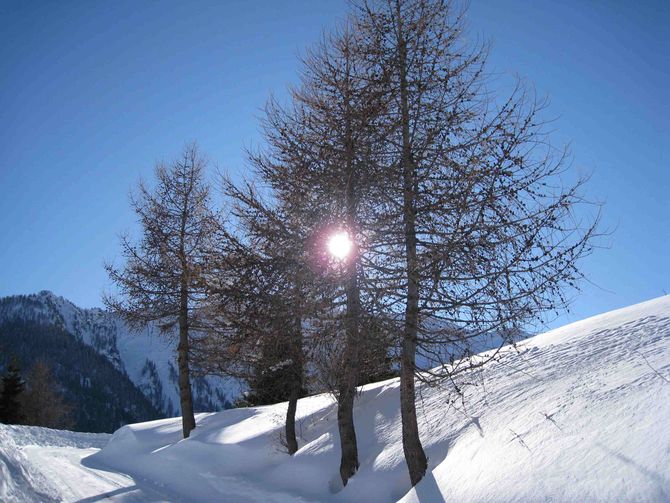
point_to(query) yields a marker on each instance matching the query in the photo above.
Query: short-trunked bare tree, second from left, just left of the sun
(260, 300)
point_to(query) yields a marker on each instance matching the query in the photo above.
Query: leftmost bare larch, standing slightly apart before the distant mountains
(163, 279)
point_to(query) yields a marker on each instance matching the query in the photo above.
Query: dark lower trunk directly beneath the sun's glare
(347, 389)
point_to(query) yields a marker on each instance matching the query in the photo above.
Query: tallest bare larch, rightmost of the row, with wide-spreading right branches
(482, 235)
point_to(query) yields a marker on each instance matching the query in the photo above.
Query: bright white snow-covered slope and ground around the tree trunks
(583, 414)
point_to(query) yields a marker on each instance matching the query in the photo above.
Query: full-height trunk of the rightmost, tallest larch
(411, 443)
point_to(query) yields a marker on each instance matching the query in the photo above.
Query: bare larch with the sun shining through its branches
(322, 159)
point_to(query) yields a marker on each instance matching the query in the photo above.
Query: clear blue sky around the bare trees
(93, 93)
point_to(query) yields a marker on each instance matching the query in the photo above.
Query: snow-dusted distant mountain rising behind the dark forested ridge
(146, 358)
